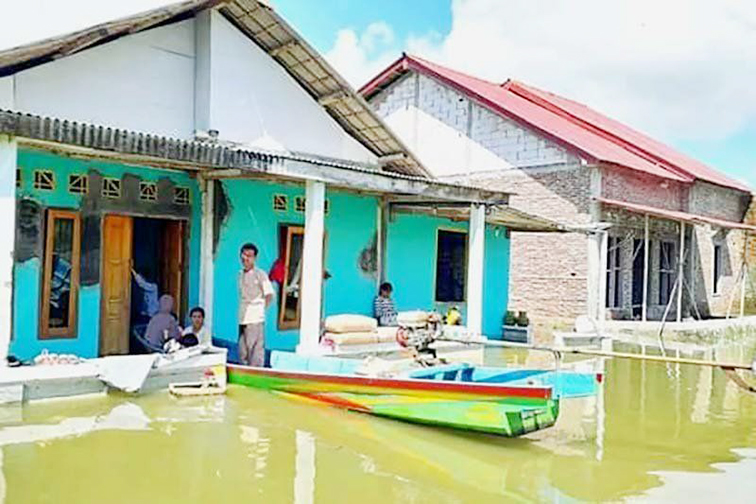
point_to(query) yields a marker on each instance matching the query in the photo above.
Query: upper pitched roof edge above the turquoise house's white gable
(268, 30)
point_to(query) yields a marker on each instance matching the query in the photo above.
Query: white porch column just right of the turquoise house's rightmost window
(475, 258)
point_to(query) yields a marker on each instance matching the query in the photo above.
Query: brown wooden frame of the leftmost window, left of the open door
(70, 331)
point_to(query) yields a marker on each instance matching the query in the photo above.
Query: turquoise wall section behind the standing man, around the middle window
(350, 226)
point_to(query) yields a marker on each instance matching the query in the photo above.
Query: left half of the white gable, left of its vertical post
(143, 82)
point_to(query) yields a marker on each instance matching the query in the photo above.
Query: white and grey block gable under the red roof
(452, 135)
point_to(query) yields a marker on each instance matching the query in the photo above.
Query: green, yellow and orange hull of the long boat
(496, 409)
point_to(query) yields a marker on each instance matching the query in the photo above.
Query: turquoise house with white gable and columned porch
(139, 155)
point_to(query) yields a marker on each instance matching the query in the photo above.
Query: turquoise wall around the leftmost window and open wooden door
(27, 282)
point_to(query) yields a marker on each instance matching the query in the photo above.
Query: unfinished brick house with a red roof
(666, 233)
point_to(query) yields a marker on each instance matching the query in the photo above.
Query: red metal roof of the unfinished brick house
(573, 125)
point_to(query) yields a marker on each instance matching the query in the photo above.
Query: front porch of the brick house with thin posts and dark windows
(664, 265)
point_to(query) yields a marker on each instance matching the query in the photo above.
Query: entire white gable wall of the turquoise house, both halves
(198, 74)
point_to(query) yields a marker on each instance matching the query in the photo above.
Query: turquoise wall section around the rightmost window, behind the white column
(411, 267)
